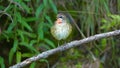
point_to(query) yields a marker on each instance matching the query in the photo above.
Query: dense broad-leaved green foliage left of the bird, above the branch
(25, 27)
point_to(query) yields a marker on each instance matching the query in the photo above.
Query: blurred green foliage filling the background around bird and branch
(25, 31)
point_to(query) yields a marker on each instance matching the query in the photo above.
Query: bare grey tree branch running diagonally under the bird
(65, 47)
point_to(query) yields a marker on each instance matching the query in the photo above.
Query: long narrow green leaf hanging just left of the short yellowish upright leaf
(13, 50)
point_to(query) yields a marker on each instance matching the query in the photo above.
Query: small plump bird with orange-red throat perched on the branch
(61, 29)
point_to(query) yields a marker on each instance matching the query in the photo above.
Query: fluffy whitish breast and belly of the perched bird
(61, 31)
